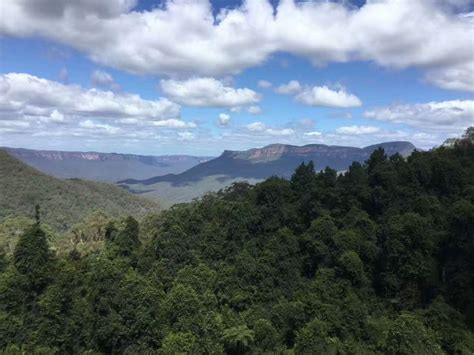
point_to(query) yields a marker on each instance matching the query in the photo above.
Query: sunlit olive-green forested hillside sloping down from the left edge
(63, 202)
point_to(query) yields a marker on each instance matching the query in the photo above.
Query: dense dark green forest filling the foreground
(376, 260)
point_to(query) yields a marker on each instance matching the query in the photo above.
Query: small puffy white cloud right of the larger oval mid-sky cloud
(324, 96)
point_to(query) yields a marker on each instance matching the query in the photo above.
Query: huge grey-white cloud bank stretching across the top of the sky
(399, 34)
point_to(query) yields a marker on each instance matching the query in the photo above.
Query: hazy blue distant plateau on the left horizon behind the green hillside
(108, 167)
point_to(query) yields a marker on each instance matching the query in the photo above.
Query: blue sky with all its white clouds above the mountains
(198, 77)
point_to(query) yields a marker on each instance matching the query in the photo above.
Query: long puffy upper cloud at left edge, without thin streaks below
(29, 95)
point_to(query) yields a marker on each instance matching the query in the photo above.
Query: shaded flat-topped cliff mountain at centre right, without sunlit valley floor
(276, 159)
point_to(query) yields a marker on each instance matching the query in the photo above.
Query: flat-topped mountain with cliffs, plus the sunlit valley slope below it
(253, 165)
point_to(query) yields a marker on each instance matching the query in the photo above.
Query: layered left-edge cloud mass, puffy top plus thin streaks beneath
(33, 105)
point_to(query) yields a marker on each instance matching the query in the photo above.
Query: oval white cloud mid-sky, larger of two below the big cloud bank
(207, 92)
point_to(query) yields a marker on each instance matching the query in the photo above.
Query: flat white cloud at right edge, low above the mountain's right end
(448, 116)
